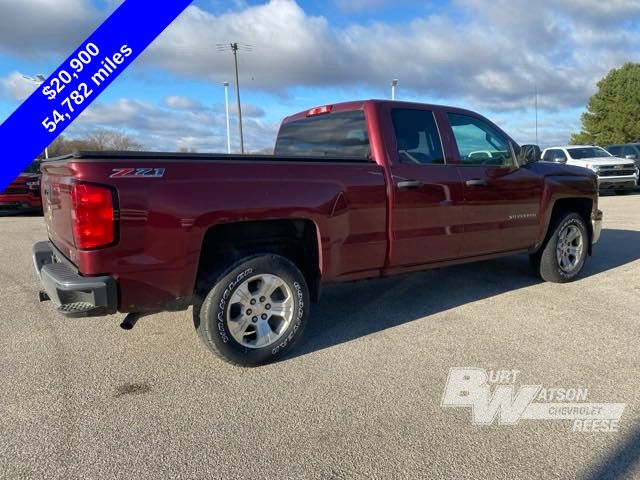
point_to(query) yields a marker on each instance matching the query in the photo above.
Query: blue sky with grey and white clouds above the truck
(489, 56)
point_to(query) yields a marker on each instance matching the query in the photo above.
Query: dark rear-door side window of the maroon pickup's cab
(417, 137)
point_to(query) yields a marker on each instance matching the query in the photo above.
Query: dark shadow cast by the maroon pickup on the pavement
(353, 310)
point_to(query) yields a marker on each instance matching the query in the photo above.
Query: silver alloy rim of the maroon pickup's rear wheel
(260, 311)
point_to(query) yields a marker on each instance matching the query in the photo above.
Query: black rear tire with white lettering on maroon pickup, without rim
(212, 305)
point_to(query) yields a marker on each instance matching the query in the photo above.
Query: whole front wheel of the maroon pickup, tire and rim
(564, 253)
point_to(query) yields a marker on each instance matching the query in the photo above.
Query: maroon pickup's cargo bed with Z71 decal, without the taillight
(162, 220)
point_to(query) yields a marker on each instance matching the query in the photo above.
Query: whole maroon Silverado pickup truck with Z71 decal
(353, 191)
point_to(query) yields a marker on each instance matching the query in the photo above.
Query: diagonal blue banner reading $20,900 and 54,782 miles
(80, 79)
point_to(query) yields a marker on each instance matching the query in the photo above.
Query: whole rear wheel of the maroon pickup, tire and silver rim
(254, 311)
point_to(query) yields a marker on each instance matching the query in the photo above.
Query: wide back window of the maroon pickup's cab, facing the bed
(334, 134)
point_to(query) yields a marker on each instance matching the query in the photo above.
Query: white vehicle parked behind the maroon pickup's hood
(617, 174)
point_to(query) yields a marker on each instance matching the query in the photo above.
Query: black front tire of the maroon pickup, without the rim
(545, 262)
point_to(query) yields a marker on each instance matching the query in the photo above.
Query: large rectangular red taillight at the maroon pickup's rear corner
(93, 216)
